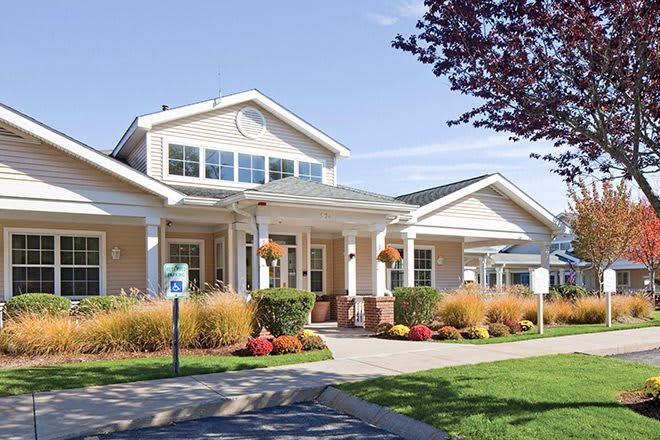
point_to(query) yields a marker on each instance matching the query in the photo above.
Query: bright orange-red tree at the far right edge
(645, 248)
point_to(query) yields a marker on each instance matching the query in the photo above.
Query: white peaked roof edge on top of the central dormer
(143, 123)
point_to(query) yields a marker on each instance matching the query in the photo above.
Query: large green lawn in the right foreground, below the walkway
(548, 397)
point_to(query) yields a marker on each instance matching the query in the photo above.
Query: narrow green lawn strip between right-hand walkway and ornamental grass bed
(564, 330)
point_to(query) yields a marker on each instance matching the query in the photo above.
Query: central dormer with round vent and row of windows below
(235, 142)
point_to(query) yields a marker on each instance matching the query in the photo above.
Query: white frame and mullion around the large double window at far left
(103, 276)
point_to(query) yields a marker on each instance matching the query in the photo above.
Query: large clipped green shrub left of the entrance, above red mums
(283, 311)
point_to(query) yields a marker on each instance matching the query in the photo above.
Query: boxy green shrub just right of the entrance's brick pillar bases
(415, 305)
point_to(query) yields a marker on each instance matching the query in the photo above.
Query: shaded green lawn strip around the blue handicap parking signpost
(75, 375)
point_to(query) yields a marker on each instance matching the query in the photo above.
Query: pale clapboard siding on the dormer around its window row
(218, 129)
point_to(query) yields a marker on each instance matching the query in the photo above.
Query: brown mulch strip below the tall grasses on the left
(8, 361)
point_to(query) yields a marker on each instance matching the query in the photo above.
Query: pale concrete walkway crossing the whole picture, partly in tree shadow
(71, 413)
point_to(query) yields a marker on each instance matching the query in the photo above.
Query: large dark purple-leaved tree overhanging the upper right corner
(583, 74)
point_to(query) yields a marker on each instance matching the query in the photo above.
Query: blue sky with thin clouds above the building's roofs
(88, 67)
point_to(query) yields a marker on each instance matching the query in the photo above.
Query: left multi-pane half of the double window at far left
(33, 263)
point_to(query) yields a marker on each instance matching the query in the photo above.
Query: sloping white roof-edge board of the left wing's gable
(87, 154)
